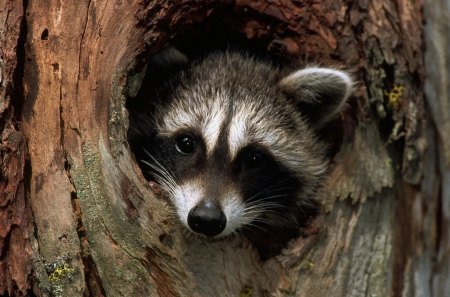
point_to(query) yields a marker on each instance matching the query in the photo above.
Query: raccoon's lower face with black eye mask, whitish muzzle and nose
(215, 193)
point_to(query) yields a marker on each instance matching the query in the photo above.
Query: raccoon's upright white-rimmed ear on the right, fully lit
(320, 93)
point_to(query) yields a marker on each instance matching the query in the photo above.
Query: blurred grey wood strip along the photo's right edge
(437, 89)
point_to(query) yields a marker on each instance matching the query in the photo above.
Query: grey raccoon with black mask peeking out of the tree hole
(234, 141)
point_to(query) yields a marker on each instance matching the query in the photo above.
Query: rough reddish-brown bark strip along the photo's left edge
(15, 212)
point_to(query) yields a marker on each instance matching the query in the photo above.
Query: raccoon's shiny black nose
(207, 218)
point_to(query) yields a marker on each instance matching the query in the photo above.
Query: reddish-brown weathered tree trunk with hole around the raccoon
(77, 218)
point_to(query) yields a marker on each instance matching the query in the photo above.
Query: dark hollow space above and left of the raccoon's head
(224, 29)
